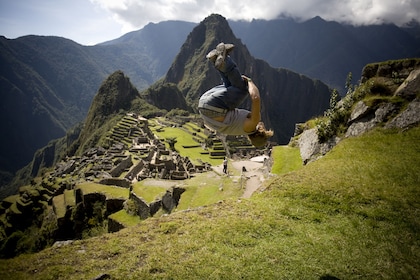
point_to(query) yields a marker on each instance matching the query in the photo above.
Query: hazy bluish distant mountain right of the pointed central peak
(326, 50)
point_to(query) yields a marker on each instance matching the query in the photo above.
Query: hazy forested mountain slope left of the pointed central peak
(47, 83)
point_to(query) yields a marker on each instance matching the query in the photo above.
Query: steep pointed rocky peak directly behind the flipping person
(287, 97)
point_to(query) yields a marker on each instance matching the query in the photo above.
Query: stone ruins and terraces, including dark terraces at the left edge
(132, 154)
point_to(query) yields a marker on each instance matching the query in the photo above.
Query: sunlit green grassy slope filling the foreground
(353, 214)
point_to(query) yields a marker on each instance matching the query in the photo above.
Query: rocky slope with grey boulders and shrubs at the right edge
(388, 96)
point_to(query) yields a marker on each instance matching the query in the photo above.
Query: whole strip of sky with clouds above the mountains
(89, 22)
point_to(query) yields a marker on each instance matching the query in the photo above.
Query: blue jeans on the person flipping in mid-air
(229, 95)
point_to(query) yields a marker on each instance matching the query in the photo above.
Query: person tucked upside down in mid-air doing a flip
(218, 106)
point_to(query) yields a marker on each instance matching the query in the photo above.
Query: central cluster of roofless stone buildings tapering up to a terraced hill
(107, 165)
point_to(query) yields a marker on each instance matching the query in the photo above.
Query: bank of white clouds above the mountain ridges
(134, 14)
